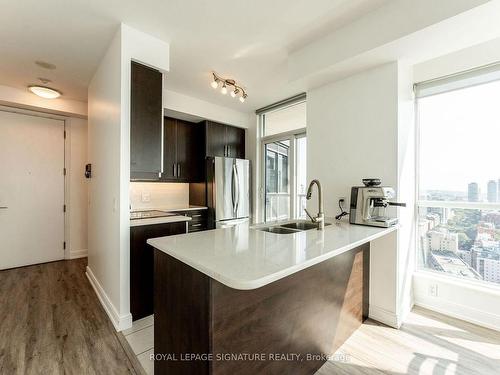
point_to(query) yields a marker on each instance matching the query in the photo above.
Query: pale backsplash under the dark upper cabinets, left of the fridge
(148, 195)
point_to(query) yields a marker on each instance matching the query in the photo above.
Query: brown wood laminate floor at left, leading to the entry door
(51, 322)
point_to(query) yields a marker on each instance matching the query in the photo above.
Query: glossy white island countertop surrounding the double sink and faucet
(242, 257)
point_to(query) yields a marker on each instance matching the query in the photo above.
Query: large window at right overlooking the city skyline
(459, 176)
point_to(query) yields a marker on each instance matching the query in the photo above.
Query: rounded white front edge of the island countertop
(258, 283)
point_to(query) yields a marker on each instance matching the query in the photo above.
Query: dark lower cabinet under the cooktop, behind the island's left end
(142, 265)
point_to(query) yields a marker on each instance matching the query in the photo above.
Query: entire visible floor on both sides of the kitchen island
(51, 322)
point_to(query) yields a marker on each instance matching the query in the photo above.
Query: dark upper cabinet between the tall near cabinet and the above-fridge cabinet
(183, 151)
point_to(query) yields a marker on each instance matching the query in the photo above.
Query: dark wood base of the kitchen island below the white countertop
(306, 316)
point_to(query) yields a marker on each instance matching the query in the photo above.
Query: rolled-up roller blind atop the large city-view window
(468, 78)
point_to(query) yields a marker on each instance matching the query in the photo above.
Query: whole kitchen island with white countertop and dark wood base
(244, 301)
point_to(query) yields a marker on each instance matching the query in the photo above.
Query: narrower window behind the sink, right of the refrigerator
(284, 161)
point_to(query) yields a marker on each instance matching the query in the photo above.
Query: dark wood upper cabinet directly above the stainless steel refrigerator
(224, 140)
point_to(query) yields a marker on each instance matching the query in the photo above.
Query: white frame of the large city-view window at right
(422, 203)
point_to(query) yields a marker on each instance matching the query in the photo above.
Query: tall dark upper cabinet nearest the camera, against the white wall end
(145, 122)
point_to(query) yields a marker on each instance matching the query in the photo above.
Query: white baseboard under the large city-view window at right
(459, 311)
